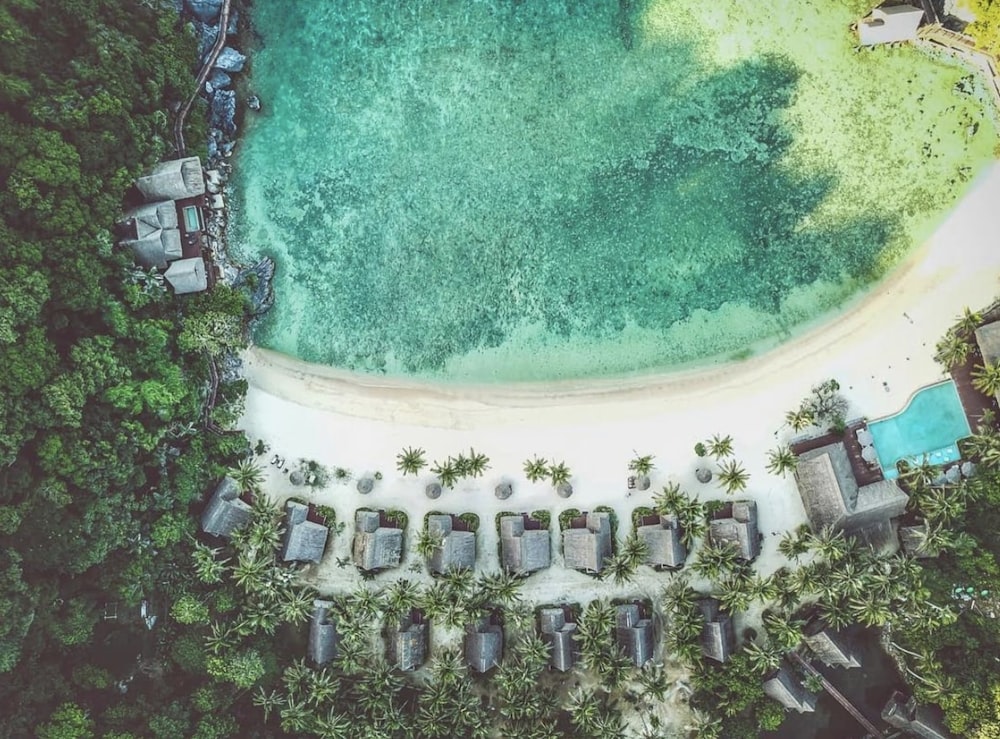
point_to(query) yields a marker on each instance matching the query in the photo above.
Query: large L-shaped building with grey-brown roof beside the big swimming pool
(832, 497)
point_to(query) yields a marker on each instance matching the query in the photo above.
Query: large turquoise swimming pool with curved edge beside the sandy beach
(929, 426)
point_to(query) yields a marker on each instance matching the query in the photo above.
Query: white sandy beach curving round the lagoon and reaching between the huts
(596, 427)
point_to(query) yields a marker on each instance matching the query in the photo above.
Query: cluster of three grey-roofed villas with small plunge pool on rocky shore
(165, 231)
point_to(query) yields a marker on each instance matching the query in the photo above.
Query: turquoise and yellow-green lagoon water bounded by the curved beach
(502, 190)
